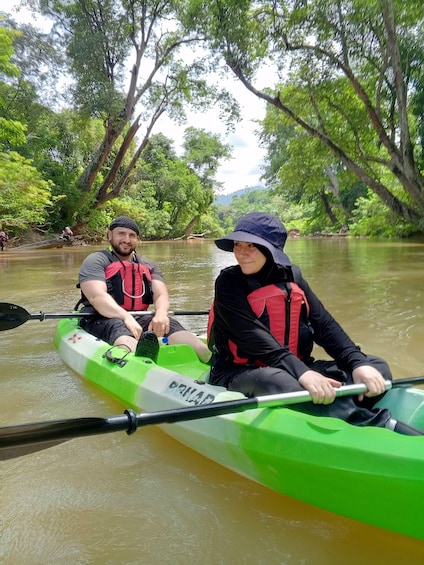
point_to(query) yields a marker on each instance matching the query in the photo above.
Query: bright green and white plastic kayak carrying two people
(369, 474)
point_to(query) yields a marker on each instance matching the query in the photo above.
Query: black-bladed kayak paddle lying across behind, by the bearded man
(13, 316)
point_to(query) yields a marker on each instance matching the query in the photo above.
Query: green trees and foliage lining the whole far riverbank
(336, 121)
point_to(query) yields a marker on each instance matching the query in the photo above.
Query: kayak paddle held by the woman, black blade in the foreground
(23, 439)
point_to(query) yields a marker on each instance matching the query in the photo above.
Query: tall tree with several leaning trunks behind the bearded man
(102, 37)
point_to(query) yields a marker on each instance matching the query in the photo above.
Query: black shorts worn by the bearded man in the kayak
(109, 329)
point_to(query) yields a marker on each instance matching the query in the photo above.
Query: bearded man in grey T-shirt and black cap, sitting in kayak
(116, 281)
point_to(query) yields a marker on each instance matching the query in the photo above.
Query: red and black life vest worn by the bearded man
(128, 282)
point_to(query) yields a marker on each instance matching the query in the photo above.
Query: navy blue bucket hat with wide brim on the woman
(260, 229)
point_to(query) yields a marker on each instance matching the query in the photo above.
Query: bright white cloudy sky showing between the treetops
(244, 168)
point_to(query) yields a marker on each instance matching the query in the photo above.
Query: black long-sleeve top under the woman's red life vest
(235, 320)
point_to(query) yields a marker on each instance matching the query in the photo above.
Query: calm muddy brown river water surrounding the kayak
(146, 499)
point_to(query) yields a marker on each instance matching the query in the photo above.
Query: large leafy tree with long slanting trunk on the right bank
(346, 72)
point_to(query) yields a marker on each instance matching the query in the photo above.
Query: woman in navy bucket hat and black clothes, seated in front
(265, 321)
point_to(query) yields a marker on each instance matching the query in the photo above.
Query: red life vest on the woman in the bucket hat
(281, 307)
